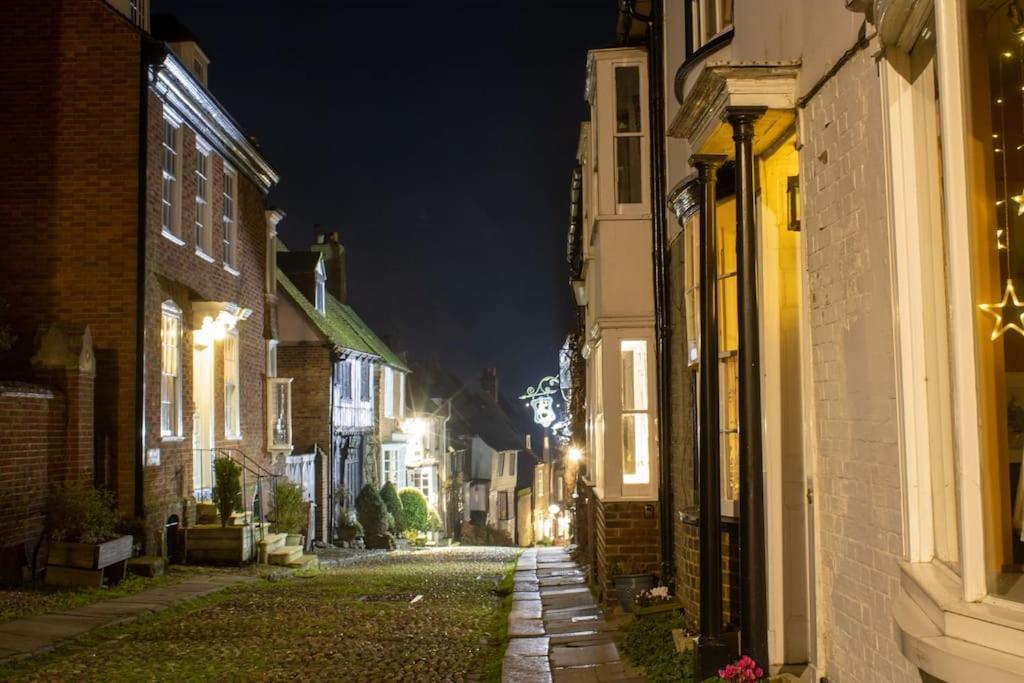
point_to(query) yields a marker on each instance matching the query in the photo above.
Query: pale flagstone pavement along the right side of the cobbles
(559, 634)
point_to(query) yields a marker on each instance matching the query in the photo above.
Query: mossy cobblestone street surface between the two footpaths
(411, 616)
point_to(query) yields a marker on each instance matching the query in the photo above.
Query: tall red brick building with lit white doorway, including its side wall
(136, 206)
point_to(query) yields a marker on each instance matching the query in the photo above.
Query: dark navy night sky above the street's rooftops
(438, 139)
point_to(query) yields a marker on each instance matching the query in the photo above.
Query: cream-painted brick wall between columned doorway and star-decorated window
(851, 319)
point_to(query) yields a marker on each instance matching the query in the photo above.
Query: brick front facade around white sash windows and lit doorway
(178, 273)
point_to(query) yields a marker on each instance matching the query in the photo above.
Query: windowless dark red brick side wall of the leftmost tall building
(69, 192)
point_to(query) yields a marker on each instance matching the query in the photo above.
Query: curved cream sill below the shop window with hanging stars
(953, 639)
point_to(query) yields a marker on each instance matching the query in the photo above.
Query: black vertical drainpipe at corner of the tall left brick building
(149, 53)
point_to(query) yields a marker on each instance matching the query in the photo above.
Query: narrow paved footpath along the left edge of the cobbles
(33, 635)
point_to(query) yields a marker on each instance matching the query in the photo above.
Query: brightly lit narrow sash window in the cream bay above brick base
(636, 436)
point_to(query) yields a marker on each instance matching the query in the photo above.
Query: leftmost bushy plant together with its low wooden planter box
(84, 541)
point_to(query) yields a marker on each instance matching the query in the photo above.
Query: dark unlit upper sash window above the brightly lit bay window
(629, 133)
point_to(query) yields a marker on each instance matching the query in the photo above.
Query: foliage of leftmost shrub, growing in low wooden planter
(79, 514)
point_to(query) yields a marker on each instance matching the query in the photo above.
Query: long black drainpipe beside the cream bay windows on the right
(656, 91)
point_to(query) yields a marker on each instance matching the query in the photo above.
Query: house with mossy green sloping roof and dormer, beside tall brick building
(349, 385)
